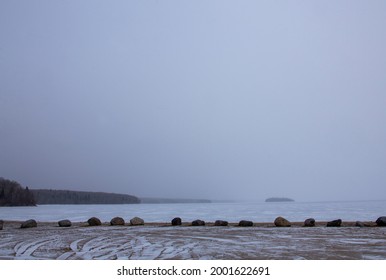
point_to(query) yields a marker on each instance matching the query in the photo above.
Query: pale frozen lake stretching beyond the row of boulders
(232, 212)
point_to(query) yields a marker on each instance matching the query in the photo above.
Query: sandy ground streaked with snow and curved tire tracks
(161, 241)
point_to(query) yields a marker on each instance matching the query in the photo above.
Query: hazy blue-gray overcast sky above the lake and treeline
(203, 99)
